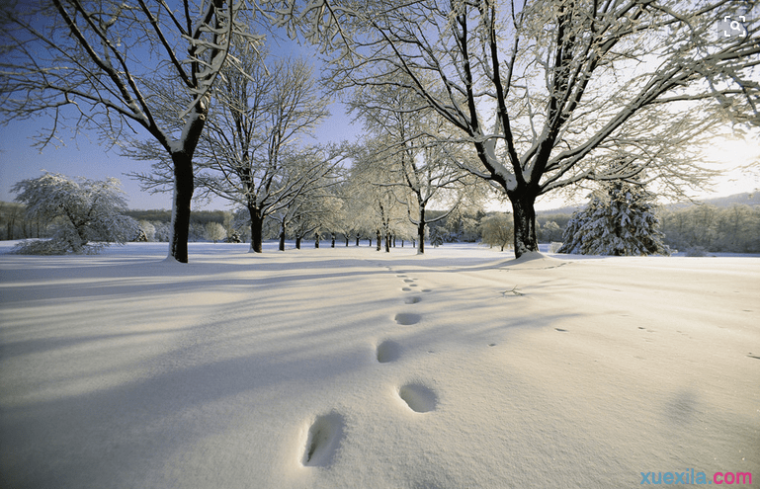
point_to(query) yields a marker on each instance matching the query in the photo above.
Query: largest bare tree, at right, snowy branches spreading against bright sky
(550, 92)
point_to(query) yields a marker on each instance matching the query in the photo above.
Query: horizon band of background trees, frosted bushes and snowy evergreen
(81, 215)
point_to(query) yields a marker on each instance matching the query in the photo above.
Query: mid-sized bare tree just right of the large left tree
(256, 140)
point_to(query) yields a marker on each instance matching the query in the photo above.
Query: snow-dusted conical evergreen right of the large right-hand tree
(618, 221)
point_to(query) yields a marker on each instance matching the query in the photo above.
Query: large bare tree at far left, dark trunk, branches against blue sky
(106, 62)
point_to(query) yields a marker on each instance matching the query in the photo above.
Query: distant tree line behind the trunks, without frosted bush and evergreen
(696, 229)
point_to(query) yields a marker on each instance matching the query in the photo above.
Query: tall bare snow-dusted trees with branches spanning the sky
(529, 98)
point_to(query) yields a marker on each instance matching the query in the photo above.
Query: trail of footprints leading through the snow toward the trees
(326, 431)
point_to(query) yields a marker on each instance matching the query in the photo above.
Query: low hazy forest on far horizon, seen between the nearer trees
(726, 224)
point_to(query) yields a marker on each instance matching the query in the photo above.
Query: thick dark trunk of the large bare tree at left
(183, 196)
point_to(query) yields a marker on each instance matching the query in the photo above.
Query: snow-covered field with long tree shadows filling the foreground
(351, 368)
